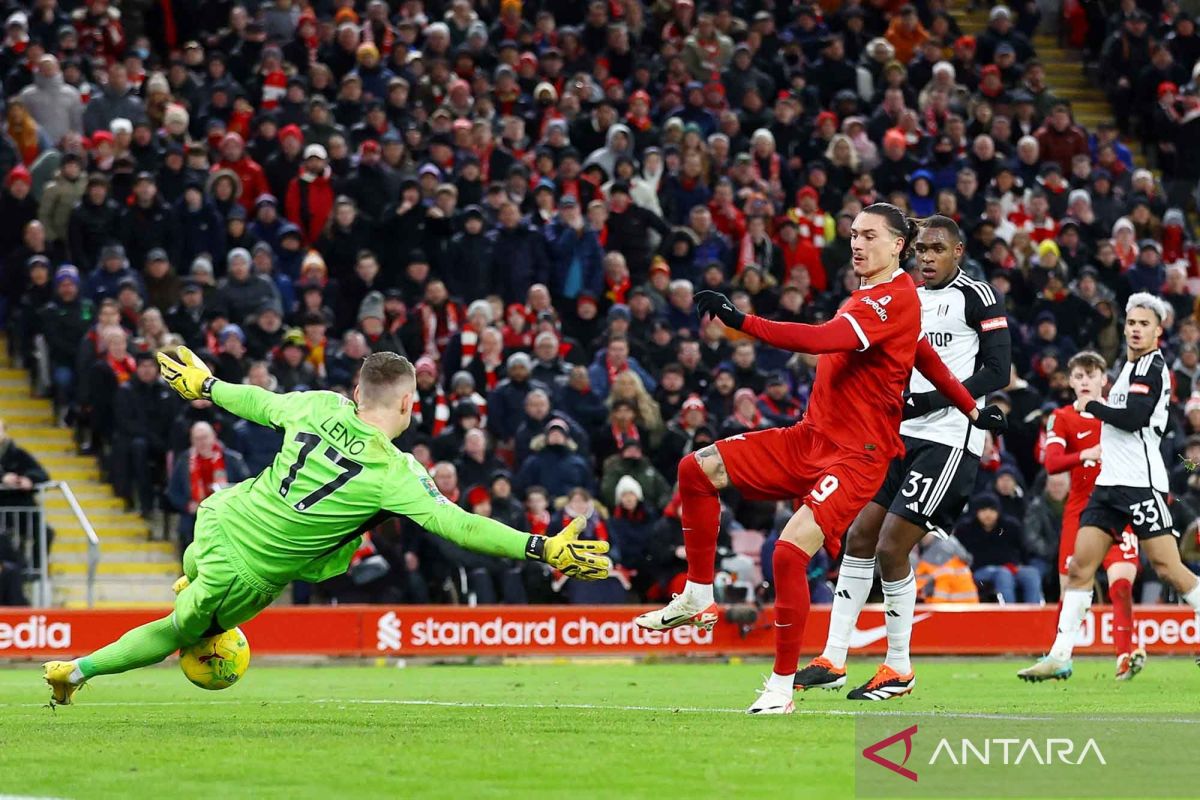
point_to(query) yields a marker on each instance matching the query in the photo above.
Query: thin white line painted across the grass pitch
(597, 707)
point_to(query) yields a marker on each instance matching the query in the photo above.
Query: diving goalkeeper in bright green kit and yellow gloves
(338, 477)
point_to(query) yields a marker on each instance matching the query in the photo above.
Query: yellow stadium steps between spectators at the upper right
(1066, 75)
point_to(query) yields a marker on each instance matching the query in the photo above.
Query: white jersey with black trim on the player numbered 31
(953, 317)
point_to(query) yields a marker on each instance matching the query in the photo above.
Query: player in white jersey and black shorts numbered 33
(1131, 489)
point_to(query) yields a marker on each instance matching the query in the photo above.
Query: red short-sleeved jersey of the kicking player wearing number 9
(857, 398)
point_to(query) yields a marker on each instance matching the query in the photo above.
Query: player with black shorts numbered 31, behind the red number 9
(927, 489)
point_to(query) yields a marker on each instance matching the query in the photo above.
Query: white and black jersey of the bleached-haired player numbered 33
(1136, 459)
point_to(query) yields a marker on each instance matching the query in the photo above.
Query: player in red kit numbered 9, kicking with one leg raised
(836, 458)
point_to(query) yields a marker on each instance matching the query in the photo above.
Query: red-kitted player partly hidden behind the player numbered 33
(1073, 443)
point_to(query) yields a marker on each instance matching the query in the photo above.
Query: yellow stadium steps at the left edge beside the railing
(135, 572)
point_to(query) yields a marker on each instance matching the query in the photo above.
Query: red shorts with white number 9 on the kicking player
(800, 464)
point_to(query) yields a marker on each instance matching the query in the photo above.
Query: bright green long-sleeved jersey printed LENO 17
(335, 479)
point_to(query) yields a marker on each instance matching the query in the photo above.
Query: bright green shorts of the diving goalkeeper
(223, 593)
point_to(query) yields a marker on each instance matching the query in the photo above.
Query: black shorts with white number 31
(931, 485)
